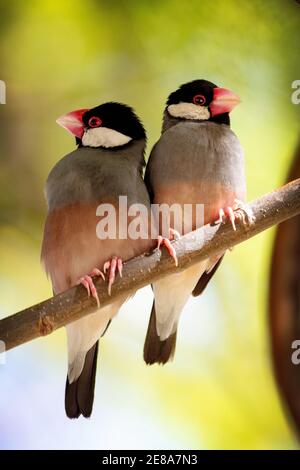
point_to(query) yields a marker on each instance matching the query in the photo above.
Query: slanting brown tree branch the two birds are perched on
(45, 317)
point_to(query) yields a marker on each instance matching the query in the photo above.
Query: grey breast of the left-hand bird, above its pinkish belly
(88, 174)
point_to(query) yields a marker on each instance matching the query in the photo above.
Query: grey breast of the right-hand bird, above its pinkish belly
(192, 151)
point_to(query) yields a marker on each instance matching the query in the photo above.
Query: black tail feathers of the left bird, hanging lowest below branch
(79, 397)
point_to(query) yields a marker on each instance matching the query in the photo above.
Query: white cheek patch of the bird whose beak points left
(104, 137)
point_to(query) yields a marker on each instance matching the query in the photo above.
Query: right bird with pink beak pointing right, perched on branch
(197, 160)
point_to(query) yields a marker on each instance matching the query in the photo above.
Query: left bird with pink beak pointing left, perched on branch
(107, 162)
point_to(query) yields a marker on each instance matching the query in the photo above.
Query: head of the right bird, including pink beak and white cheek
(204, 101)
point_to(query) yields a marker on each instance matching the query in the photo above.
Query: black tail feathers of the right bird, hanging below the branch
(155, 350)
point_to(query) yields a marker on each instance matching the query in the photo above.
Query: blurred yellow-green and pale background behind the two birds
(56, 56)
